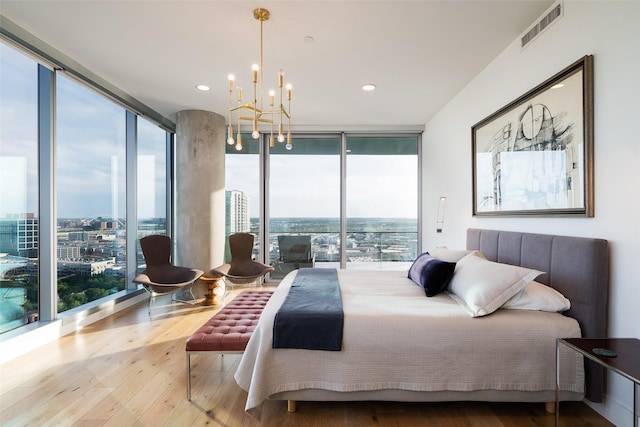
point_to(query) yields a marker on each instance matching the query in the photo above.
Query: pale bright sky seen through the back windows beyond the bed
(309, 185)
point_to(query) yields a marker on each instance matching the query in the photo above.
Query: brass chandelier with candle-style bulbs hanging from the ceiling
(254, 111)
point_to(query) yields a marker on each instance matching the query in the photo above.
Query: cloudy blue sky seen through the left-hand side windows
(90, 148)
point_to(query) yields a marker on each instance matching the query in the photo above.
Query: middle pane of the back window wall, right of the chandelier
(304, 204)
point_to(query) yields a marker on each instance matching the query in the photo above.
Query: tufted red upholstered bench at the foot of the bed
(229, 330)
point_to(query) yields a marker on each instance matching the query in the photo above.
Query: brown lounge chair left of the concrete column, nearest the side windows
(160, 276)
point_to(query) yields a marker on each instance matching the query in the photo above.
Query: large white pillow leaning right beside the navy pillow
(483, 286)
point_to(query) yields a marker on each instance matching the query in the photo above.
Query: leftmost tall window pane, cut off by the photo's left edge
(18, 189)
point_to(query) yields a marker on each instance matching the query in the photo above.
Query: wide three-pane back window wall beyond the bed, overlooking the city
(335, 200)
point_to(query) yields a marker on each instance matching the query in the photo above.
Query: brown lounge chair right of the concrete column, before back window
(242, 269)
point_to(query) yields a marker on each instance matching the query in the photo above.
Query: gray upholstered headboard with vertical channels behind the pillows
(578, 267)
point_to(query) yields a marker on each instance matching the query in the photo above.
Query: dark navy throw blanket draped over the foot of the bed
(311, 315)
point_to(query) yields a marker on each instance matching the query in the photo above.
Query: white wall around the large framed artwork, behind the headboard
(609, 31)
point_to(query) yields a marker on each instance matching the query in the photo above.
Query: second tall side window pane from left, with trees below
(91, 195)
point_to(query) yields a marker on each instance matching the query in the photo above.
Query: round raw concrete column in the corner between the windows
(200, 193)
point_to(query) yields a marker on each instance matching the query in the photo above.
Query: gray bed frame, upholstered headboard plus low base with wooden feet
(578, 267)
